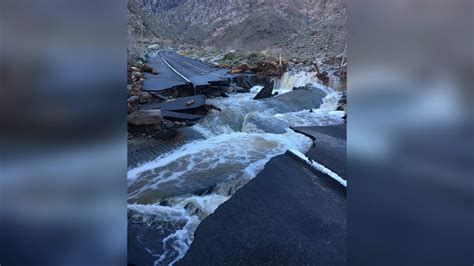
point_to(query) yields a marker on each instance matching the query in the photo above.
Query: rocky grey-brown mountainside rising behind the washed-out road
(295, 27)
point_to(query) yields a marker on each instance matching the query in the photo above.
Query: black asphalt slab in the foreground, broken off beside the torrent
(287, 215)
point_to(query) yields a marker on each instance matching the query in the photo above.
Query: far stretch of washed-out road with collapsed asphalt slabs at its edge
(180, 88)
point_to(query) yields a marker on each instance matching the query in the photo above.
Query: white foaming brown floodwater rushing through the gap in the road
(176, 191)
